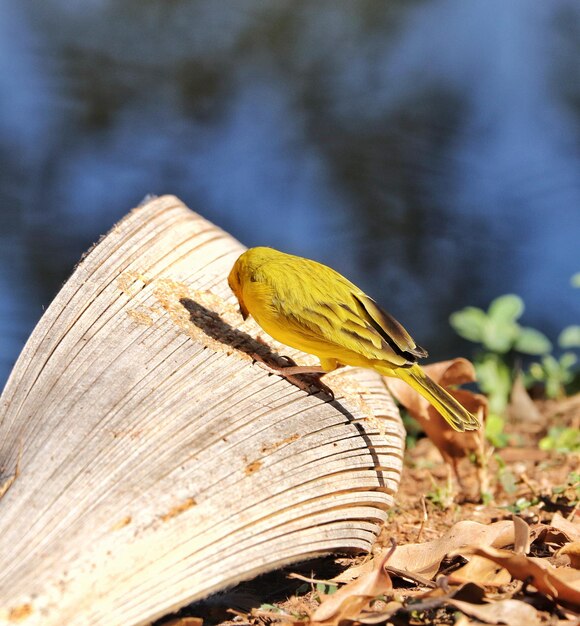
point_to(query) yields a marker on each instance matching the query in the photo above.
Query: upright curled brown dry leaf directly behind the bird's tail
(453, 445)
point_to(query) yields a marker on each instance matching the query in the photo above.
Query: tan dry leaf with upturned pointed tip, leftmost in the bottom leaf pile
(348, 602)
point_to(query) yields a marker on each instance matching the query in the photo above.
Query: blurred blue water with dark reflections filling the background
(430, 150)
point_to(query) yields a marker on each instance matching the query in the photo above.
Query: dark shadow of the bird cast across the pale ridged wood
(214, 326)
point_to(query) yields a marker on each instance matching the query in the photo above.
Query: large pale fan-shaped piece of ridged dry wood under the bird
(146, 461)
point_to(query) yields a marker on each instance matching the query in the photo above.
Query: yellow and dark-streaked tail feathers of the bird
(453, 412)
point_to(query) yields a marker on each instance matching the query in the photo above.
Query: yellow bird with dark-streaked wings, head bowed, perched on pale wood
(313, 308)
